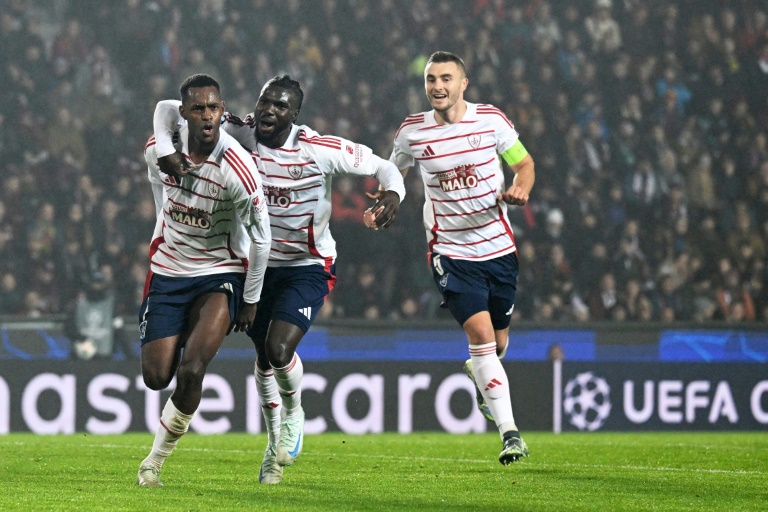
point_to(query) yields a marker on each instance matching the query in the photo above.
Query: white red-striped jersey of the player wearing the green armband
(462, 175)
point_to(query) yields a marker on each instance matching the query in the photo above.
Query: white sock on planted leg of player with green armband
(493, 383)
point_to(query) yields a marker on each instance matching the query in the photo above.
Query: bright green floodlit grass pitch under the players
(430, 471)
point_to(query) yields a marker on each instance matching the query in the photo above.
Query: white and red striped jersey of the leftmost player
(208, 221)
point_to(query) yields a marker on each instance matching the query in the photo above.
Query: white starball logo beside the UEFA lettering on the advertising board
(587, 401)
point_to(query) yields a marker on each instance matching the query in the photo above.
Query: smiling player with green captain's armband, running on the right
(472, 249)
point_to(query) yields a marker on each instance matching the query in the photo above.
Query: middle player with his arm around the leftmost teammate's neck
(298, 167)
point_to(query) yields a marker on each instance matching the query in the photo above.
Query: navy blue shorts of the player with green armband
(469, 287)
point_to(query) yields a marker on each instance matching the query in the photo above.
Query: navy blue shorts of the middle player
(292, 294)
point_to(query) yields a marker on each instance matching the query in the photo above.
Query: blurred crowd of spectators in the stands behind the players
(647, 121)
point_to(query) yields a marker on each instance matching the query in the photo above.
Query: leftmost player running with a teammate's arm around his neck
(207, 261)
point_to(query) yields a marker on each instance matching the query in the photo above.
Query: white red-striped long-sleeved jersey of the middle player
(297, 182)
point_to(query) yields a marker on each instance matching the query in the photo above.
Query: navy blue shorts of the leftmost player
(165, 310)
